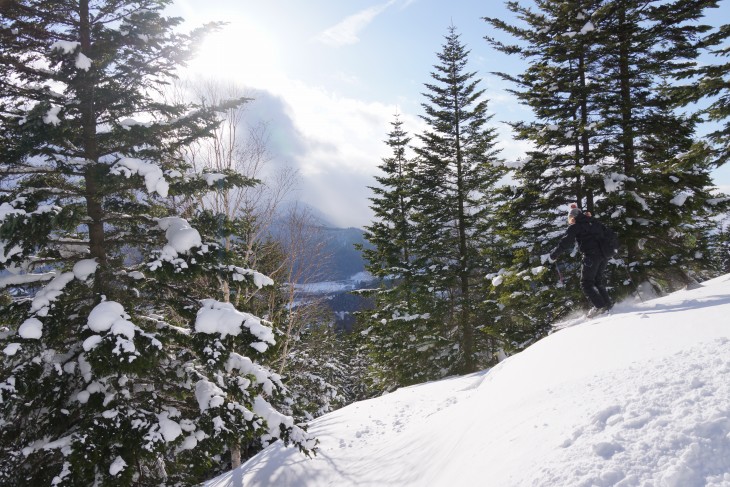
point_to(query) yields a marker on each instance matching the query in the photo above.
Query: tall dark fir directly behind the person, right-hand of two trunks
(649, 44)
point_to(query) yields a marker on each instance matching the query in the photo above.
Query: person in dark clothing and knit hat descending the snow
(597, 243)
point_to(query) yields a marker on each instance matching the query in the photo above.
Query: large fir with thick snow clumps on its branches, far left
(118, 368)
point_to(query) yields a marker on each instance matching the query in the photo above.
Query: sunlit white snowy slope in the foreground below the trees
(638, 398)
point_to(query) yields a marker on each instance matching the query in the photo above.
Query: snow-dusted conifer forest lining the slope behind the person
(151, 329)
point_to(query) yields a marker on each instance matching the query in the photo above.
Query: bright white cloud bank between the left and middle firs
(335, 142)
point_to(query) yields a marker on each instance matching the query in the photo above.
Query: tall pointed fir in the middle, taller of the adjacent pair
(454, 181)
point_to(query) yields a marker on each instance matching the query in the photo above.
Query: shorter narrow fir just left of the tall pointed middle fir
(396, 337)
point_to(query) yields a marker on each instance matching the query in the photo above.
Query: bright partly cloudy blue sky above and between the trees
(329, 75)
